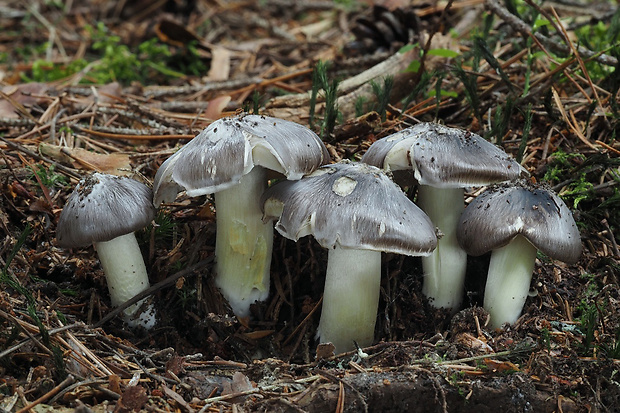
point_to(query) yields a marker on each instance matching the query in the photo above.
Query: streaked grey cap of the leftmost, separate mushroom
(103, 207)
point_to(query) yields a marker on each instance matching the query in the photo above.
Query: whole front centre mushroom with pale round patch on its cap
(356, 212)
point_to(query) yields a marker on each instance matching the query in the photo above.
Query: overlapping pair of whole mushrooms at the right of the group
(514, 219)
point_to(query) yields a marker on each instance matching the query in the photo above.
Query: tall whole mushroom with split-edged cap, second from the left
(230, 158)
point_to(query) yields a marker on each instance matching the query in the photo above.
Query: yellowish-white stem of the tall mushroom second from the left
(243, 243)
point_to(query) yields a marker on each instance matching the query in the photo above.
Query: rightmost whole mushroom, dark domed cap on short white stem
(515, 221)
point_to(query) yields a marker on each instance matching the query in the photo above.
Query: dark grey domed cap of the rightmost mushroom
(502, 212)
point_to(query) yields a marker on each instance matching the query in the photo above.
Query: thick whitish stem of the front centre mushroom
(350, 298)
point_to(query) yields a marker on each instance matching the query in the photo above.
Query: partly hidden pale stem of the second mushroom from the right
(444, 269)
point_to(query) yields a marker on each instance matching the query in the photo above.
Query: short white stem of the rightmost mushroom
(508, 280)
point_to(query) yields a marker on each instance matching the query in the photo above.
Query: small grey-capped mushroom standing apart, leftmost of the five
(105, 210)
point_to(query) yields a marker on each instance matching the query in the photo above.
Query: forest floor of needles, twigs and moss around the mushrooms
(117, 87)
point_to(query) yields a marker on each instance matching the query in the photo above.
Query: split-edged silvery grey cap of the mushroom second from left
(229, 148)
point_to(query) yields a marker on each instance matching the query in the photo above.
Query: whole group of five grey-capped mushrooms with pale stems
(355, 210)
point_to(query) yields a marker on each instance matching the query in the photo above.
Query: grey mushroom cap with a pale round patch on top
(352, 205)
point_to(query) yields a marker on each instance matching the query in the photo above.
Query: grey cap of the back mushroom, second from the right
(443, 157)
